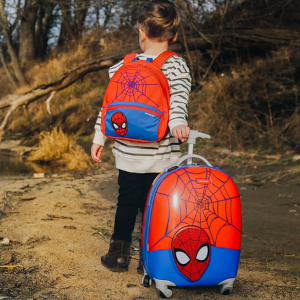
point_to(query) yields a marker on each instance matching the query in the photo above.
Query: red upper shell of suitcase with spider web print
(207, 199)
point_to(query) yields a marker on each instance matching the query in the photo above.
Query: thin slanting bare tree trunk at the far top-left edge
(13, 55)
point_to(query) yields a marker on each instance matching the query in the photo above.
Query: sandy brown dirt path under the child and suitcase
(53, 224)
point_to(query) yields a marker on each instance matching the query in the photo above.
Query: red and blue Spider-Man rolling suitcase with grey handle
(192, 227)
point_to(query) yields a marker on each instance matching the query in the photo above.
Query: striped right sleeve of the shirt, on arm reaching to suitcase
(178, 75)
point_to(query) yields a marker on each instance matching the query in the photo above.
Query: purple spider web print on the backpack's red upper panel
(133, 87)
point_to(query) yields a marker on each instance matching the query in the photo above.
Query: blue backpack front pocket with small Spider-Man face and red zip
(132, 121)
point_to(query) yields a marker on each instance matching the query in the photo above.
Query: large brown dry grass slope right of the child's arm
(255, 106)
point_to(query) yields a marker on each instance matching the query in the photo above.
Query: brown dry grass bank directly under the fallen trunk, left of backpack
(74, 109)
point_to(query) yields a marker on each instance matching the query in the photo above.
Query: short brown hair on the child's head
(160, 20)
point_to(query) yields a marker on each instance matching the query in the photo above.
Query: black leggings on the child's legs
(133, 191)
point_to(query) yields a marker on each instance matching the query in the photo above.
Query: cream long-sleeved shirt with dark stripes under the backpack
(137, 157)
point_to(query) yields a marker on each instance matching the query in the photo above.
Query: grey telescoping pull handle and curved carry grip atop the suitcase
(194, 134)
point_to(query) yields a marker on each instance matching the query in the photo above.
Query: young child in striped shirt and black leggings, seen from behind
(140, 163)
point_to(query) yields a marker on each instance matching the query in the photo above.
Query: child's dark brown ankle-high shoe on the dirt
(117, 258)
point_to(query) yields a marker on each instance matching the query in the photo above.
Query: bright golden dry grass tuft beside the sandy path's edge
(61, 149)
